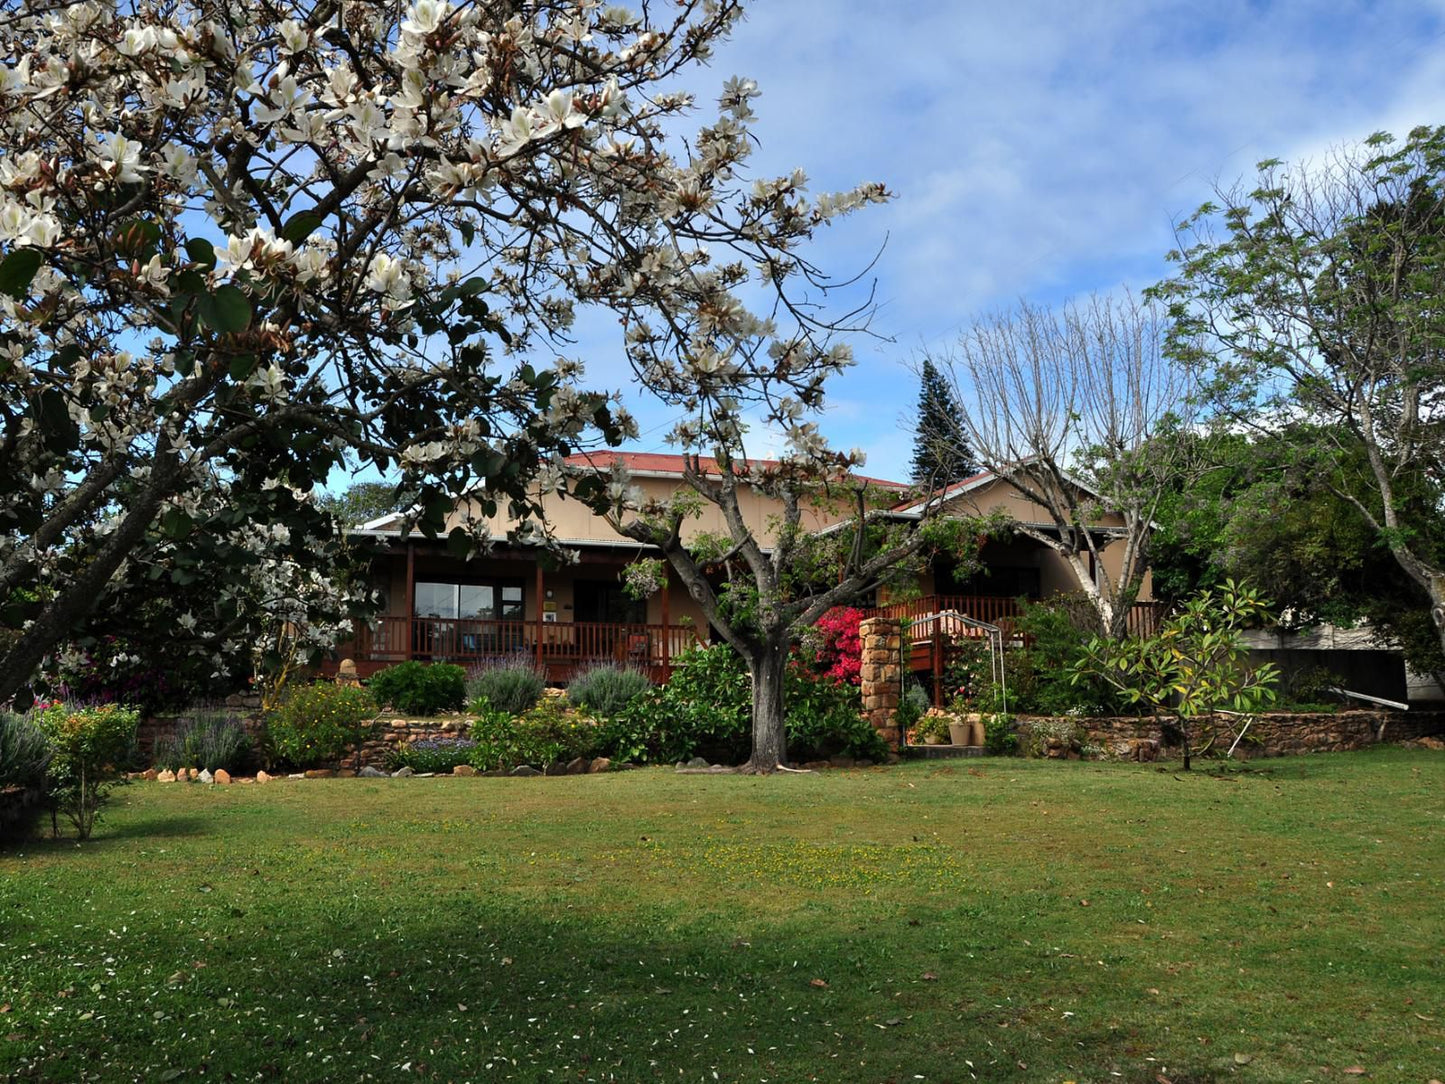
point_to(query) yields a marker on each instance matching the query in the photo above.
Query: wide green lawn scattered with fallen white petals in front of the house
(991, 921)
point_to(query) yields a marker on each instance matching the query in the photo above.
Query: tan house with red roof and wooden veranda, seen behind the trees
(441, 608)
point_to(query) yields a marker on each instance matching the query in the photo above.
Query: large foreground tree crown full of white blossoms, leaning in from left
(248, 239)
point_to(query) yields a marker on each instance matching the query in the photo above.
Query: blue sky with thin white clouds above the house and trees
(1040, 150)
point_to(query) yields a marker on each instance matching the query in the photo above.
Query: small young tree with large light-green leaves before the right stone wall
(1193, 668)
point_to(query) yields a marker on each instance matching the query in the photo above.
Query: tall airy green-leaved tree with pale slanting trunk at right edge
(1317, 296)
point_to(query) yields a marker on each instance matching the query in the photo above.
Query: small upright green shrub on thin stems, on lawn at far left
(89, 752)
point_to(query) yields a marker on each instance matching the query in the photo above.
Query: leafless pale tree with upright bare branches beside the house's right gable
(1069, 408)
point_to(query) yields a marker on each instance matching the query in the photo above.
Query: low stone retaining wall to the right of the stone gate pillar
(1272, 735)
